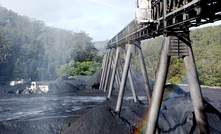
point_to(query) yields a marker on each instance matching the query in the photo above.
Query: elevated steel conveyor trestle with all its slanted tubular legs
(172, 19)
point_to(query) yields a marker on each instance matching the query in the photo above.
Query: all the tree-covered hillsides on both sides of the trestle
(31, 49)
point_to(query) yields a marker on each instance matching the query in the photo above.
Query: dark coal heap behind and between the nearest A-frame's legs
(177, 114)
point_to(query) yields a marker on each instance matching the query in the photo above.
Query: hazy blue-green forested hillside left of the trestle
(31, 49)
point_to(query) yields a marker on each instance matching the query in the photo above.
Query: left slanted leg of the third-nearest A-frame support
(113, 73)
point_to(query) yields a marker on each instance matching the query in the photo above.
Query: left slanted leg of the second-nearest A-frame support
(123, 80)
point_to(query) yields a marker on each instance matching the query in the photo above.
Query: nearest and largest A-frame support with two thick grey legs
(177, 40)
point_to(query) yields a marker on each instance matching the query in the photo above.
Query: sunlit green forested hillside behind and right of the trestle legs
(206, 44)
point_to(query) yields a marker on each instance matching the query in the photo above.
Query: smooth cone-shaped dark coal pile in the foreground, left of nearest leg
(93, 122)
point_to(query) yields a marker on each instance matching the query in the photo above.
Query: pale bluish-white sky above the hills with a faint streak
(101, 19)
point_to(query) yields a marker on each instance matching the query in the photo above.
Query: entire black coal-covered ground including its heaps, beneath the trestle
(76, 106)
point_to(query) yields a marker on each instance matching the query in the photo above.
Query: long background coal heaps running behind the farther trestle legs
(63, 84)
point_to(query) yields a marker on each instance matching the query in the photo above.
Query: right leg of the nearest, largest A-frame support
(195, 92)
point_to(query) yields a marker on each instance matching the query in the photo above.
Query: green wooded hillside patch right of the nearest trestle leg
(207, 47)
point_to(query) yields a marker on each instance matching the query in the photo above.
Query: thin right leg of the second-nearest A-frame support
(144, 74)
